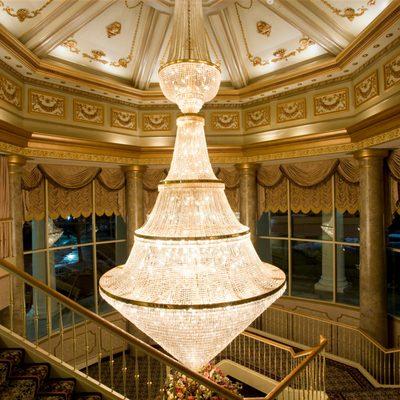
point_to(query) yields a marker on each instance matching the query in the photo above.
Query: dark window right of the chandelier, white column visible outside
(318, 251)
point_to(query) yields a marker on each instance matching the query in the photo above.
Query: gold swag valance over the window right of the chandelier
(310, 186)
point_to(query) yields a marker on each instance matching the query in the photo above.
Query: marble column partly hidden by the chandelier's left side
(134, 201)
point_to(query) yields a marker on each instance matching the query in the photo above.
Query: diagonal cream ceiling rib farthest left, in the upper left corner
(64, 28)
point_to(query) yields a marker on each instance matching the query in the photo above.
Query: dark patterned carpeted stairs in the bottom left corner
(21, 380)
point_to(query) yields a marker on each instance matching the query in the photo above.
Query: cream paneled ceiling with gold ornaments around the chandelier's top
(123, 41)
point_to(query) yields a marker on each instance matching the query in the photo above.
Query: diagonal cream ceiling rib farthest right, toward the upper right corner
(306, 24)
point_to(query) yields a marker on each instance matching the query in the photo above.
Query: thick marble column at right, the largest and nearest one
(373, 284)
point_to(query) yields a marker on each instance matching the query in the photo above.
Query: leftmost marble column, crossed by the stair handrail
(15, 165)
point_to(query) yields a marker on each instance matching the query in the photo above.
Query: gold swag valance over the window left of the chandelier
(70, 191)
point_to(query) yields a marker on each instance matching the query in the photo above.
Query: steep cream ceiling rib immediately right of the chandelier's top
(222, 29)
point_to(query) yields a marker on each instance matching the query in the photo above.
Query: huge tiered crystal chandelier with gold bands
(193, 280)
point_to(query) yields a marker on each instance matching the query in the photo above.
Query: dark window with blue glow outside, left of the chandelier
(70, 253)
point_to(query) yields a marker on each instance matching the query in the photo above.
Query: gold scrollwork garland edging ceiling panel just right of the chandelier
(279, 54)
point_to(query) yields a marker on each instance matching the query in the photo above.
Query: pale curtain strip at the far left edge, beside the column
(6, 248)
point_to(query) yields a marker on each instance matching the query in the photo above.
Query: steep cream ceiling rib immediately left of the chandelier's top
(153, 36)
